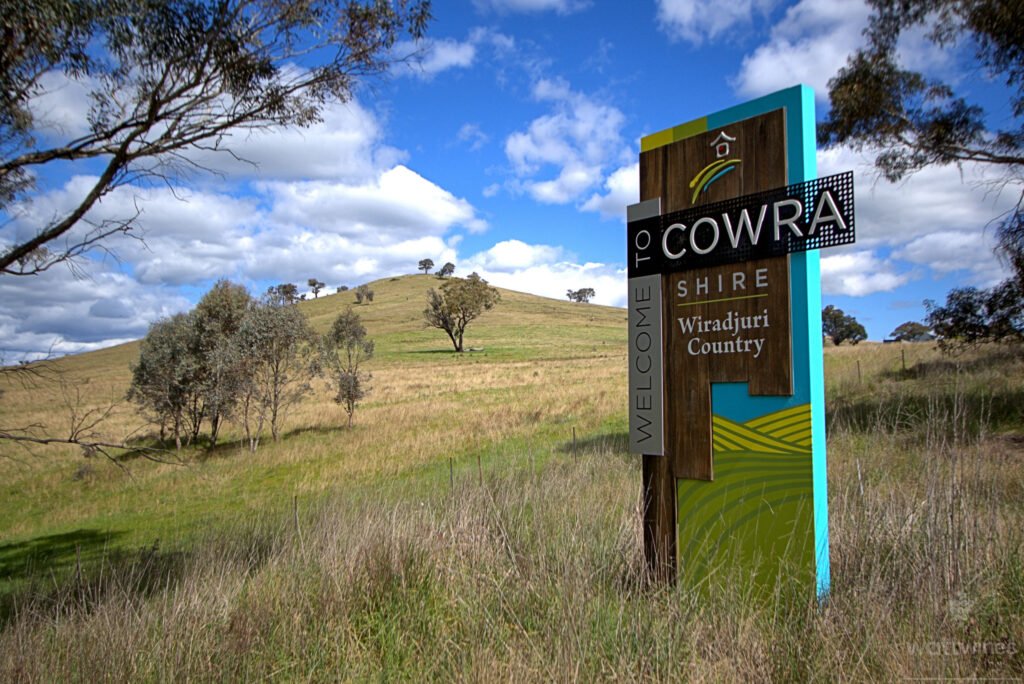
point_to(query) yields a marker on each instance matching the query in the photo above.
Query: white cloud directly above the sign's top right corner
(809, 46)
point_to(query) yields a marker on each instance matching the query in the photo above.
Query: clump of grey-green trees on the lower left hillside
(244, 360)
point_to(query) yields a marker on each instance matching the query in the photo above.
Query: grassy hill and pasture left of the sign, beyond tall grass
(544, 368)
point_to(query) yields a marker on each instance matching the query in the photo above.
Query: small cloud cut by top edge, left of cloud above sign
(695, 21)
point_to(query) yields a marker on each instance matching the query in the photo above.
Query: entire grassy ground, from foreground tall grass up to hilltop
(481, 522)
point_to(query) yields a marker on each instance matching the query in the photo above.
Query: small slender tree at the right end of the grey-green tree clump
(346, 349)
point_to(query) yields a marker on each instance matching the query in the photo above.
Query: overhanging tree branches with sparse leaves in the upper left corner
(169, 83)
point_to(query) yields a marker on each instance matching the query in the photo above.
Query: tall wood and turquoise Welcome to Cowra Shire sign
(727, 388)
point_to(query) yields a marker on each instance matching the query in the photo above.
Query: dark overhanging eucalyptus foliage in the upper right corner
(910, 121)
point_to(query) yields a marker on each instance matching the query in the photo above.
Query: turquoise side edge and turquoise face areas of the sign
(732, 400)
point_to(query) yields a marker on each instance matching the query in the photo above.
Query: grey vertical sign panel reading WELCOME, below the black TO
(647, 417)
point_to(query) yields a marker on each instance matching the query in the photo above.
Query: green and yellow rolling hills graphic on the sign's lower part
(757, 515)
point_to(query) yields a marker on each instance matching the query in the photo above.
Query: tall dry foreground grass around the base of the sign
(537, 575)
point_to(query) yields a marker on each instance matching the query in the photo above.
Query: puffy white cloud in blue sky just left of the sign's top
(579, 139)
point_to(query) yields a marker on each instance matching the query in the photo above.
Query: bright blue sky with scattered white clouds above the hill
(511, 151)
